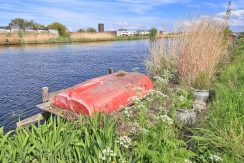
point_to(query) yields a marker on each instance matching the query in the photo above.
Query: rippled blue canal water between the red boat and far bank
(24, 70)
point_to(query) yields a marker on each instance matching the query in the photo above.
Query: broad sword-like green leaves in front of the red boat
(61, 141)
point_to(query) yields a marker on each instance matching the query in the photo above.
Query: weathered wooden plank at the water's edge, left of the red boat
(34, 119)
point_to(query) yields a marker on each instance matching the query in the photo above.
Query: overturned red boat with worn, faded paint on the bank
(104, 94)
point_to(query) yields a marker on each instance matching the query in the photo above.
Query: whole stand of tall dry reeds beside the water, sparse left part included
(198, 48)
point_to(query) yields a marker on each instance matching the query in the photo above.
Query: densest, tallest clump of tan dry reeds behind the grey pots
(201, 49)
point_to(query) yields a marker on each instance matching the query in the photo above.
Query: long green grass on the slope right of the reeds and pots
(222, 133)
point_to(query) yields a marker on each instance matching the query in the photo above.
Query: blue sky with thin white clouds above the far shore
(130, 14)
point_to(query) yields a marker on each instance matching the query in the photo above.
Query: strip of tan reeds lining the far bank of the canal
(75, 37)
